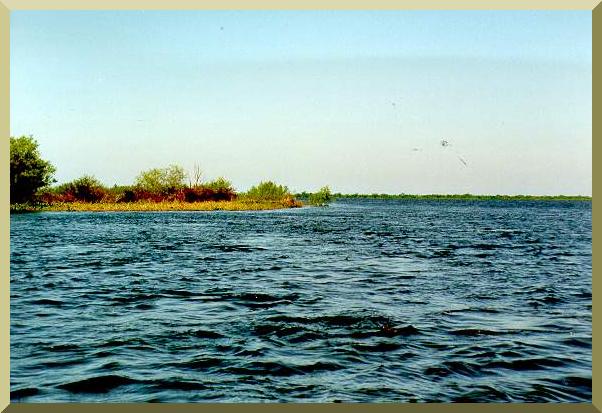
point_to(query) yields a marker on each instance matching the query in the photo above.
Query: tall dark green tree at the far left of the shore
(28, 171)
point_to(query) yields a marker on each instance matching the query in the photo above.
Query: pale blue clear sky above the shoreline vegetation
(357, 100)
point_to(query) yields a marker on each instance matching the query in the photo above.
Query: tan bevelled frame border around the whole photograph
(7, 5)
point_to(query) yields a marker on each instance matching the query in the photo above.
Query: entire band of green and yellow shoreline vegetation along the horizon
(163, 189)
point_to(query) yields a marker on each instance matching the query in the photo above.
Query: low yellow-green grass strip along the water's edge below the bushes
(236, 205)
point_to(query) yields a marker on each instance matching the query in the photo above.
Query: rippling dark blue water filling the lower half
(366, 300)
